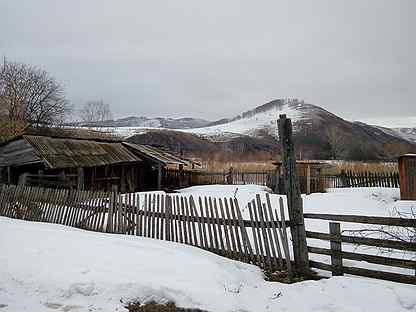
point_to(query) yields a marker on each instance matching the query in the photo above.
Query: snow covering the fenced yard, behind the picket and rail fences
(376, 201)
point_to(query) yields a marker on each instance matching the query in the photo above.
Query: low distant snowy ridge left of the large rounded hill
(145, 122)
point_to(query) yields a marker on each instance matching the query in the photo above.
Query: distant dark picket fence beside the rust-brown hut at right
(363, 179)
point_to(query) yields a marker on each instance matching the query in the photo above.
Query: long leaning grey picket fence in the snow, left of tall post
(213, 224)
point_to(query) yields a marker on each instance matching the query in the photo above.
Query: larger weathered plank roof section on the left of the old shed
(67, 153)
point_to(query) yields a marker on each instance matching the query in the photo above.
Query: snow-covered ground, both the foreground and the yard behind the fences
(47, 267)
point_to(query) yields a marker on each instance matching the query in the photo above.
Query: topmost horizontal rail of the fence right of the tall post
(363, 219)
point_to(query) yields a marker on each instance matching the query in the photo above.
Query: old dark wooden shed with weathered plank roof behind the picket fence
(83, 163)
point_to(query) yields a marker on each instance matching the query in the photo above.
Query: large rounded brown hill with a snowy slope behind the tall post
(318, 134)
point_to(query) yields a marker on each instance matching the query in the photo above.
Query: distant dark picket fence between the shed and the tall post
(173, 178)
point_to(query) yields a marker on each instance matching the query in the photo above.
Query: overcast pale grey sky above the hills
(215, 59)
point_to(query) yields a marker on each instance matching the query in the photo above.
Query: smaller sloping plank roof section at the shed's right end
(156, 154)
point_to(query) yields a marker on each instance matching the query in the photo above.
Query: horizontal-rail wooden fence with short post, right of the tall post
(336, 239)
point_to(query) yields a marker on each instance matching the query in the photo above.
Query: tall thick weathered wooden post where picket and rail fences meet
(294, 199)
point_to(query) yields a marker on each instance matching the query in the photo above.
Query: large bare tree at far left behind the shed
(29, 97)
